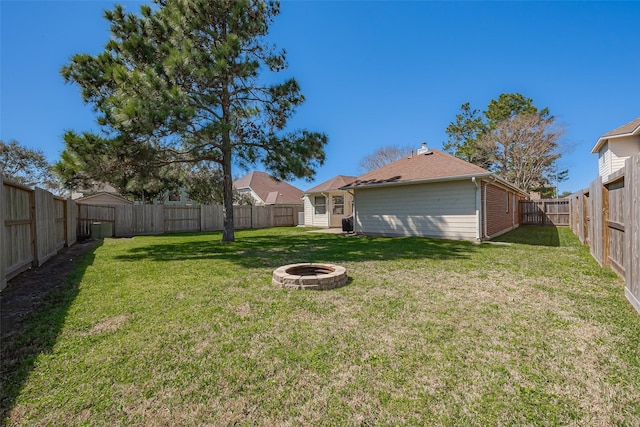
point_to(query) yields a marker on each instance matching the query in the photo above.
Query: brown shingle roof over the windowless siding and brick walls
(432, 166)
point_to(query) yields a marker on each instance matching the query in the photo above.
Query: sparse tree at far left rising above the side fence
(26, 166)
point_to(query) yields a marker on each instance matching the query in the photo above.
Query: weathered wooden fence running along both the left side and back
(35, 224)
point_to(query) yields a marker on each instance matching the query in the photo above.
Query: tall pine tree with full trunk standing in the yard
(187, 75)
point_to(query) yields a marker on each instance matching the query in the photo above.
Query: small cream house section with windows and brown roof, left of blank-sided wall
(326, 204)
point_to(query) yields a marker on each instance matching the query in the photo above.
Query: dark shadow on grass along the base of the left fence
(35, 305)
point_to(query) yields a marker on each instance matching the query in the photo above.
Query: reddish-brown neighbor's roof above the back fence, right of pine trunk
(269, 189)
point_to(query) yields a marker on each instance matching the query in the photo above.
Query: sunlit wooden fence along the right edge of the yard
(606, 216)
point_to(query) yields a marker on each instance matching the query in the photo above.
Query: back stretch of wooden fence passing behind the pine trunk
(131, 220)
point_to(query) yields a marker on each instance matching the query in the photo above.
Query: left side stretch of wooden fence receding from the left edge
(34, 226)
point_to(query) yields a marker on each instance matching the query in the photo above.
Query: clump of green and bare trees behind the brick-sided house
(511, 137)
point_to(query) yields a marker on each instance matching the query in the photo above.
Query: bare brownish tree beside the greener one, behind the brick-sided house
(524, 149)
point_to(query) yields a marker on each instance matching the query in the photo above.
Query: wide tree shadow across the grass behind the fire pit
(260, 250)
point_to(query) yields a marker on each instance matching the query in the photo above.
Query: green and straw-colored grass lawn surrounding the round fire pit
(184, 330)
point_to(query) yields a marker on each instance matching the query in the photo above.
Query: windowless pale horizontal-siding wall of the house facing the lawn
(442, 210)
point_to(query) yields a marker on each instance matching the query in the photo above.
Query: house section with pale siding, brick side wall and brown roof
(433, 194)
